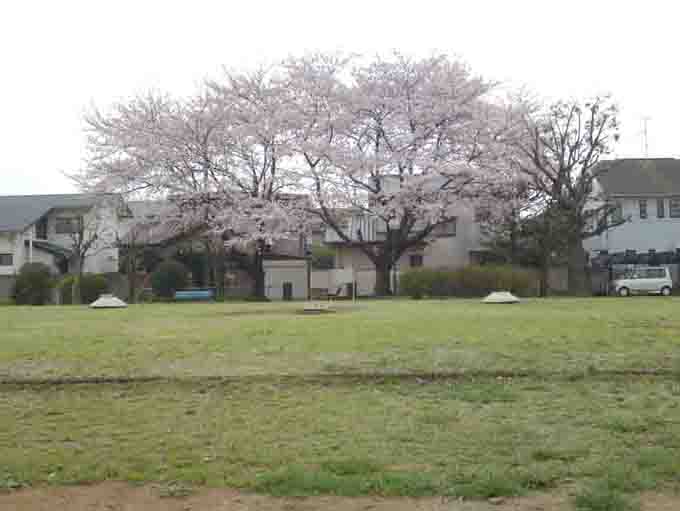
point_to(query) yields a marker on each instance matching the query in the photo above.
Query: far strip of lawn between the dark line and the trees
(566, 335)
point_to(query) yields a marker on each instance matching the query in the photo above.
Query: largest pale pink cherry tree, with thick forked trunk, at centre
(401, 143)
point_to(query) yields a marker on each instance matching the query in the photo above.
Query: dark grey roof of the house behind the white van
(640, 176)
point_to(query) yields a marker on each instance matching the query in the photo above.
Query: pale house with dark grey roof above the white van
(647, 194)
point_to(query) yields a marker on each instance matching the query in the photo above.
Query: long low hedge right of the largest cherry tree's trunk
(470, 281)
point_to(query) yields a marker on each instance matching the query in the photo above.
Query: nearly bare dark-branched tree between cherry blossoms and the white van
(559, 150)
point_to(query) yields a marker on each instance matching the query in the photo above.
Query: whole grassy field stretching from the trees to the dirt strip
(540, 396)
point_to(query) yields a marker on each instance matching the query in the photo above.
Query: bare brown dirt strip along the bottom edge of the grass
(113, 496)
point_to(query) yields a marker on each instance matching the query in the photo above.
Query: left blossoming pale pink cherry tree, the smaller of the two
(217, 156)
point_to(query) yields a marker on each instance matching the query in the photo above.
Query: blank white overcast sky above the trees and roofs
(57, 58)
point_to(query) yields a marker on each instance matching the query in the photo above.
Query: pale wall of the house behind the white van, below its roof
(639, 234)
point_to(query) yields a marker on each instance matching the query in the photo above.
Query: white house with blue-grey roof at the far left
(44, 228)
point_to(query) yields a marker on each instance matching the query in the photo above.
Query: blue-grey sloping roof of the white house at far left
(17, 212)
